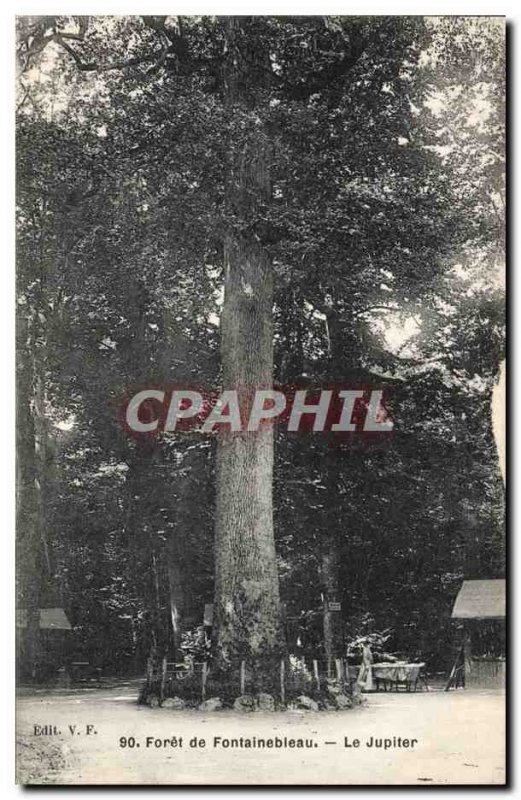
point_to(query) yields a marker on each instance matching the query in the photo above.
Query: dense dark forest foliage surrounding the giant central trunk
(385, 229)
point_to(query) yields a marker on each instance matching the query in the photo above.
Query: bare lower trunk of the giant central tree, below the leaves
(247, 594)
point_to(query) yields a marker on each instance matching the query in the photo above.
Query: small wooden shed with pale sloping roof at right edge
(480, 607)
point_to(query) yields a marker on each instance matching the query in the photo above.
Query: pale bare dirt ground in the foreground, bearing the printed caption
(460, 740)
